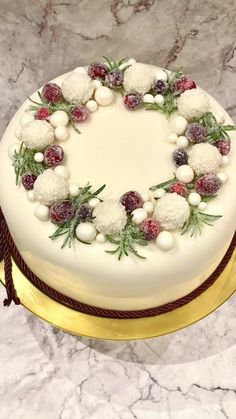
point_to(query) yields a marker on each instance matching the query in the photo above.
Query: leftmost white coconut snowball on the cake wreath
(37, 134)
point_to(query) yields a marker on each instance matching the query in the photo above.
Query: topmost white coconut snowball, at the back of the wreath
(138, 78)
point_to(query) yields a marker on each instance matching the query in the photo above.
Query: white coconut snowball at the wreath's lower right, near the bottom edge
(172, 211)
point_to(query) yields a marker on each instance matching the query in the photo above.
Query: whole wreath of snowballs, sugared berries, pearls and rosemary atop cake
(135, 219)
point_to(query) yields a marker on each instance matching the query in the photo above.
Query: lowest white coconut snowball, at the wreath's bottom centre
(110, 217)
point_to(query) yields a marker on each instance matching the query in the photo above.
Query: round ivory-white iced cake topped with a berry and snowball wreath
(117, 184)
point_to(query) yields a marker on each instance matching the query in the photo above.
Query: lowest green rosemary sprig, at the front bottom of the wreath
(126, 241)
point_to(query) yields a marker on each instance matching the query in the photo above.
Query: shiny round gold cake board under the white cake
(78, 323)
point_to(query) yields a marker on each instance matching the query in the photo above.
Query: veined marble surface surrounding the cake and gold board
(46, 373)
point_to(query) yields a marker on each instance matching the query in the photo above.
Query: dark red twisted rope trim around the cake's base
(6, 242)
